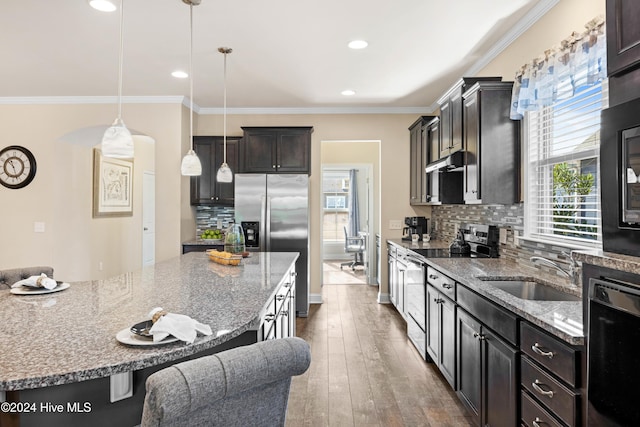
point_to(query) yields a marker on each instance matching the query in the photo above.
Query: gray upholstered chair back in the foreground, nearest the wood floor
(244, 386)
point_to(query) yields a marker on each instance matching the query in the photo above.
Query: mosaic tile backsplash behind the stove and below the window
(445, 220)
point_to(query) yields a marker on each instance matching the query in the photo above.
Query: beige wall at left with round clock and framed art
(60, 196)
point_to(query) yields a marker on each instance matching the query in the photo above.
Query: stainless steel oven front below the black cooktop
(415, 299)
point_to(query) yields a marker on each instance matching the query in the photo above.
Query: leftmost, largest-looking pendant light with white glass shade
(117, 141)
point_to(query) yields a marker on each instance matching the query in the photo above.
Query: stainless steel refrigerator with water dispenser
(274, 209)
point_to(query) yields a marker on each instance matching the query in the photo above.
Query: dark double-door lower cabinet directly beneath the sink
(488, 373)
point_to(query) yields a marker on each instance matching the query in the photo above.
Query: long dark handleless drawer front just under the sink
(496, 318)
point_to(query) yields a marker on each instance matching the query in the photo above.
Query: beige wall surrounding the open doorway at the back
(390, 130)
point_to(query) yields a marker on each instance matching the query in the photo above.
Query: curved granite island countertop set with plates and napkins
(69, 336)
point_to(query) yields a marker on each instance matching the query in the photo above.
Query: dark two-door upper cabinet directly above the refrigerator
(276, 150)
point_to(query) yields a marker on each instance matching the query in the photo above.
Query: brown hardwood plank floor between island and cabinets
(364, 371)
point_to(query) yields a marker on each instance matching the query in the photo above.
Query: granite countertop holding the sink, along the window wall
(560, 318)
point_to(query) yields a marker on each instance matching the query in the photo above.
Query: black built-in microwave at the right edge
(620, 178)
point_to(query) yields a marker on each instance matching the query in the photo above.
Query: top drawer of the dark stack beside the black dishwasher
(550, 352)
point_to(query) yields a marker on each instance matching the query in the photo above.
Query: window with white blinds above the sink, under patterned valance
(562, 202)
